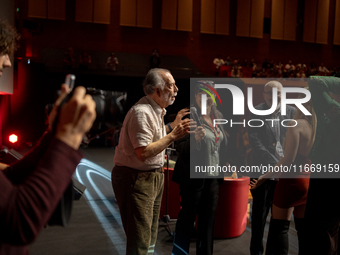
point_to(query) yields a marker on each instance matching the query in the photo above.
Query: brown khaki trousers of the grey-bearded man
(139, 196)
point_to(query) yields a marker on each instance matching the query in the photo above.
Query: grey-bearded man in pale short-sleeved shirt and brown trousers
(137, 177)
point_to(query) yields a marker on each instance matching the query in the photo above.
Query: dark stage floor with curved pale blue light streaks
(96, 228)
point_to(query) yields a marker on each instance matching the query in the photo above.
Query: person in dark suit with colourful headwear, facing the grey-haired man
(207, 146)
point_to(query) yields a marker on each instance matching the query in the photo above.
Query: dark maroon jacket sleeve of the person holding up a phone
(30, 191)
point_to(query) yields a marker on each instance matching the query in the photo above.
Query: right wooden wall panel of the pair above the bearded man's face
(185, 8)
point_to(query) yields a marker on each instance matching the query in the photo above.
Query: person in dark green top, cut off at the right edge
(322, 217)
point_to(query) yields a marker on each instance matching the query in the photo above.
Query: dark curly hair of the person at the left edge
(8, 38)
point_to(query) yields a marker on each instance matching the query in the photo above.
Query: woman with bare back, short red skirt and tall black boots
(290, 194)
